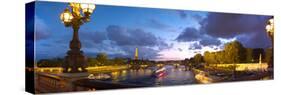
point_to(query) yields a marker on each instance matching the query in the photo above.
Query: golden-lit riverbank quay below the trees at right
(204, 75)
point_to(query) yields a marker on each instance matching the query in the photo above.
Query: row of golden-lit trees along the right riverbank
(233, 52)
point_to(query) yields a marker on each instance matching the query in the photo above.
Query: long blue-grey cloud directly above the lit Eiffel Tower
(132, 37)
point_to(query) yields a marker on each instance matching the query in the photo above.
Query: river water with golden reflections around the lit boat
(144, 77)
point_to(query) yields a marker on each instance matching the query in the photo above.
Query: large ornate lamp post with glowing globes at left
(77, 15)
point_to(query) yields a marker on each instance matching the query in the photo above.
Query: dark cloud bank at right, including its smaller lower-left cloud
(248, 29)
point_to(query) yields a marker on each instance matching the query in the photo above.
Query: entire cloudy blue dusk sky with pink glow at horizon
(159, 34)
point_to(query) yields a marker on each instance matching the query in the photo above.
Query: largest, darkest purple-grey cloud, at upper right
(230, 25)
